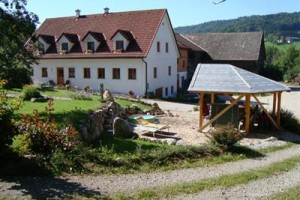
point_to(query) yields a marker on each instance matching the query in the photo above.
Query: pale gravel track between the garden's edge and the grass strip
(41, 187)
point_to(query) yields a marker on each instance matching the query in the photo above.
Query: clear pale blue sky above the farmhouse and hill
(182, 13)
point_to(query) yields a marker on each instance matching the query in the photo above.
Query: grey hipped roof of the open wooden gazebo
(226, 78)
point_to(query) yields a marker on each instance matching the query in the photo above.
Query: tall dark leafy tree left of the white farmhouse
(15, 58)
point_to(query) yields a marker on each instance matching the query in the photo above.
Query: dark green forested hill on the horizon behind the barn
(281, 24)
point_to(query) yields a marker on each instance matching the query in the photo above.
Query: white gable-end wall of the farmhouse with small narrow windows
(162, 60)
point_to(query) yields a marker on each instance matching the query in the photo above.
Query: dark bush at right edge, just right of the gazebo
(289, 122)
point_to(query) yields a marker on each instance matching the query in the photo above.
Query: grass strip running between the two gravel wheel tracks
(224, 181)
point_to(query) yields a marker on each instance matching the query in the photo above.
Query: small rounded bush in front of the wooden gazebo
(225, 136)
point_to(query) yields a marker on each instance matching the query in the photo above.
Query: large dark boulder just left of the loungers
(121, 128)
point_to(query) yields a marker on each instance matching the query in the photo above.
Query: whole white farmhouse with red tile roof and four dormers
(125, 51)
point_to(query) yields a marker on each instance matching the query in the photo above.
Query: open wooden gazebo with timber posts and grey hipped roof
(228, 80)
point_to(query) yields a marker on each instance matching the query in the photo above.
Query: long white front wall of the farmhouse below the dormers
(122, 85)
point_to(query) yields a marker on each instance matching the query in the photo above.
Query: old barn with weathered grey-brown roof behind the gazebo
(245, 49)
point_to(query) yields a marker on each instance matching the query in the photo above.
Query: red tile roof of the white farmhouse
(143, 26)
